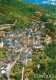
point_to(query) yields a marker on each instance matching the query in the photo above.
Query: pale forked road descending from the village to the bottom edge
(8, 70)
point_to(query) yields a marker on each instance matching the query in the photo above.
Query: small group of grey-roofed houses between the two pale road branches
(25, 56)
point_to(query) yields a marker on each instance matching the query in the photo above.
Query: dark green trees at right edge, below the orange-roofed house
(50, 50)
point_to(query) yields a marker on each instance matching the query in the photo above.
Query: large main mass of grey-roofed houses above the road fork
(24, 37)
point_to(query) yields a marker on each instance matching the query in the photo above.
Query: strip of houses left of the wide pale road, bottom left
(7, 63)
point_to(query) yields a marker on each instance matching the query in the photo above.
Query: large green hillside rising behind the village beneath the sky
(24, 12)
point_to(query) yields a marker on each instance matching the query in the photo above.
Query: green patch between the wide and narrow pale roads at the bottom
(16, 72)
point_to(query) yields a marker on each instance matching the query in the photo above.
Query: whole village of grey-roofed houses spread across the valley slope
(20, 43)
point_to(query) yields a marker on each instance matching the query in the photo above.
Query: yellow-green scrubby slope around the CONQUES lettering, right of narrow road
(47, 65)
